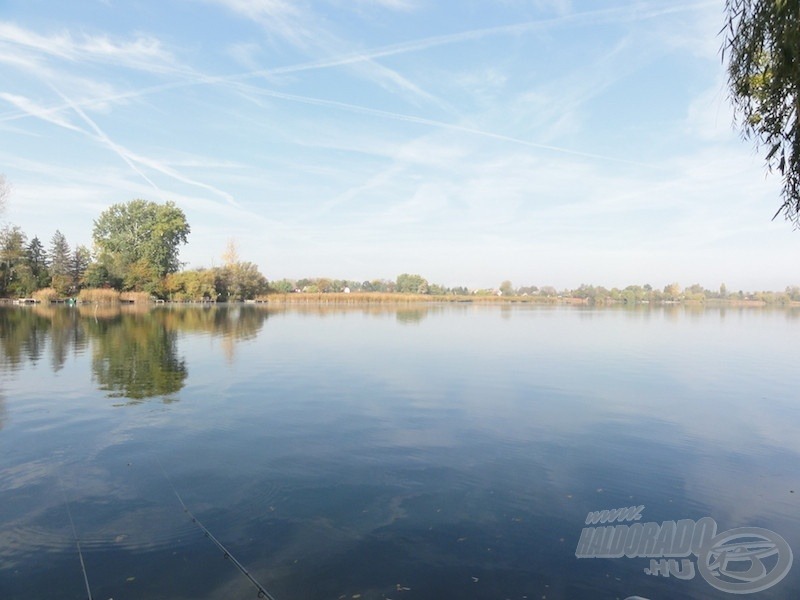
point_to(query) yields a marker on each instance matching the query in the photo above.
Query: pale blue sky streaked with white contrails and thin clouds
(549, 142)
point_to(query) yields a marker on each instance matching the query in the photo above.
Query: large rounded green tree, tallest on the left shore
(143, 237)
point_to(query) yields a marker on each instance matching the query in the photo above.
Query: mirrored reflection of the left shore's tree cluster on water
(134, 350)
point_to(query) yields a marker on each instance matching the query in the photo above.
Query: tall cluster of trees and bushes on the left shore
(135, 248)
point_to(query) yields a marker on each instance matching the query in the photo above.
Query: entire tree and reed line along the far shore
(136, 248)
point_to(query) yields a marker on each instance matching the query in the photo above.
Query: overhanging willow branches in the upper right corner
(762, 46)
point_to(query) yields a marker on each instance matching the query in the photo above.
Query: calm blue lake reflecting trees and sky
(405, 453)
